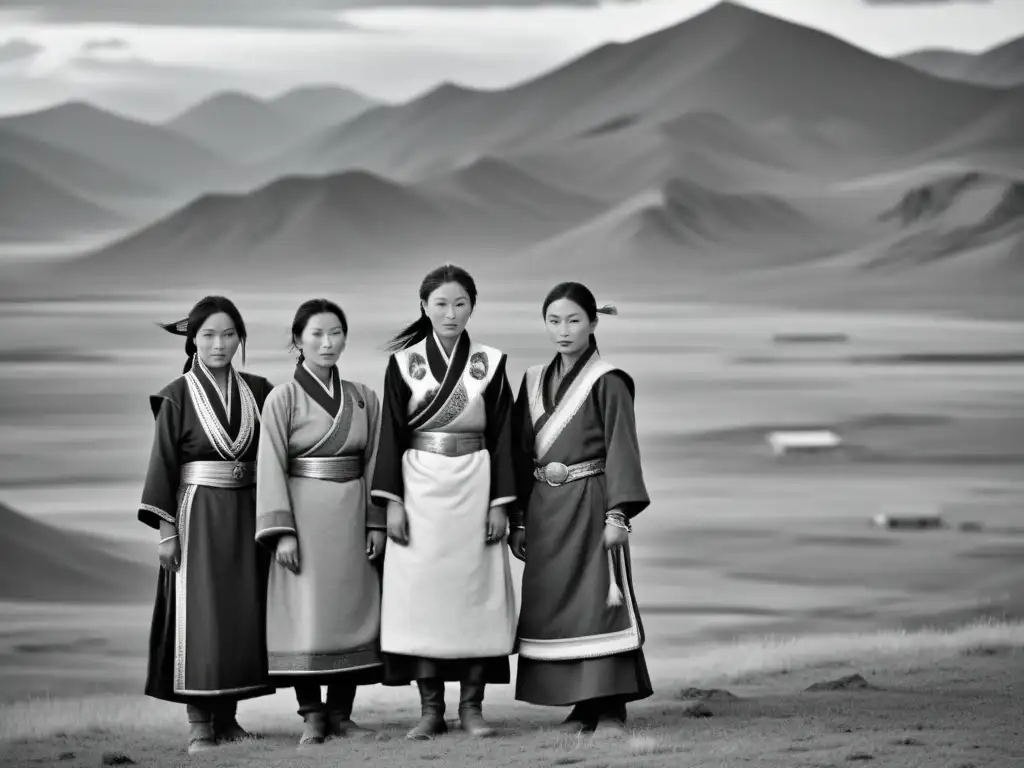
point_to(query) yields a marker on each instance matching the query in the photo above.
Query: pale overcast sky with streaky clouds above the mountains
(152, 58)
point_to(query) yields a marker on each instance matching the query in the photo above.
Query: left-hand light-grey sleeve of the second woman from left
(274, 501)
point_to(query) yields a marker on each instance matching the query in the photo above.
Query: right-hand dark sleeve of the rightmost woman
(624, 474)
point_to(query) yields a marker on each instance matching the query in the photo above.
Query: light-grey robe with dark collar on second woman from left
(316, 457)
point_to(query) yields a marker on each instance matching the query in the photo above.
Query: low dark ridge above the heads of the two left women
(357, 221)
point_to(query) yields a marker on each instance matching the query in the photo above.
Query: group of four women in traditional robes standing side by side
(315, 535)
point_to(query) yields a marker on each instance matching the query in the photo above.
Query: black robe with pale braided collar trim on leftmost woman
(208, 637)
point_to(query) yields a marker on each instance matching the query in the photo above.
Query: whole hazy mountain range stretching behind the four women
(734, 142)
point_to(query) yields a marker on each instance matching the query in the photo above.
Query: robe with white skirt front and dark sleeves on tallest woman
(446, 453)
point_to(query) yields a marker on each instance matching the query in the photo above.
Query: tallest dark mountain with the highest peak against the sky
(747, 66)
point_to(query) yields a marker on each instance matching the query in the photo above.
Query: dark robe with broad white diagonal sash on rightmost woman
(573, 646)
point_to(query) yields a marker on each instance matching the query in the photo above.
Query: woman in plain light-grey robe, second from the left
(314, 510)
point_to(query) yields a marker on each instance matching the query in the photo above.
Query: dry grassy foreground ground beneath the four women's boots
(936, 695)
